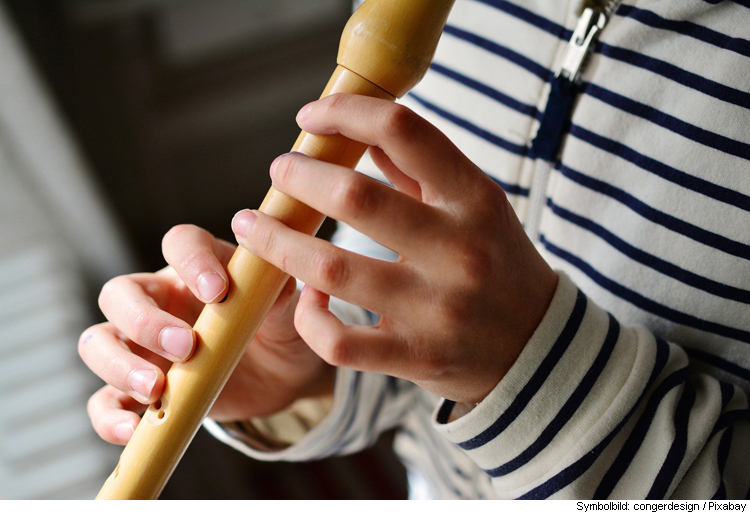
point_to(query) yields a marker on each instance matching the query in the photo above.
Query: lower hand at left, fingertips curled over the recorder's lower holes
(149, 327)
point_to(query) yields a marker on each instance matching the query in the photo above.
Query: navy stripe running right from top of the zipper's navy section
(687, 130)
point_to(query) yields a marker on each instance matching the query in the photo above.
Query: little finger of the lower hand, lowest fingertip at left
(114, 415)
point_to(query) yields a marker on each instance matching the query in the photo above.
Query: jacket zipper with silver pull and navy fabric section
(557, 113)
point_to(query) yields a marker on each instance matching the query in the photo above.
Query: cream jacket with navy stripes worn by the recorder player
(635, 384)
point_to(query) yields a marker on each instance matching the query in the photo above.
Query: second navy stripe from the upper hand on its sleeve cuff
(571, 406)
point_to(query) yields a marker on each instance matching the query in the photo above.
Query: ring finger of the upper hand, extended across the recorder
(363, 281)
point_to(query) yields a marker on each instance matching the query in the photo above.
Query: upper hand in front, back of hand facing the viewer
(469, 288)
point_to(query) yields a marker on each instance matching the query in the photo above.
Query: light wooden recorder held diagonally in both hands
(385, 50)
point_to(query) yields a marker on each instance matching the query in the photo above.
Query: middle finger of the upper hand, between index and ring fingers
(390, 217)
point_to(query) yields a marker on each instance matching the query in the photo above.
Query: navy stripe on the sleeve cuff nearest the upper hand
(537, 380)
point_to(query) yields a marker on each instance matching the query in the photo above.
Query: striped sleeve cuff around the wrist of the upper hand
(544, 405)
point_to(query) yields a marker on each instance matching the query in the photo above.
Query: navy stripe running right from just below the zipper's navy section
(691, 231)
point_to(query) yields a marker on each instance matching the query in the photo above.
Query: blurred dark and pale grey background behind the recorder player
(118, 120)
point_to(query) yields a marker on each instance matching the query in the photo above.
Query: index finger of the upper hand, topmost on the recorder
(415, 146)
